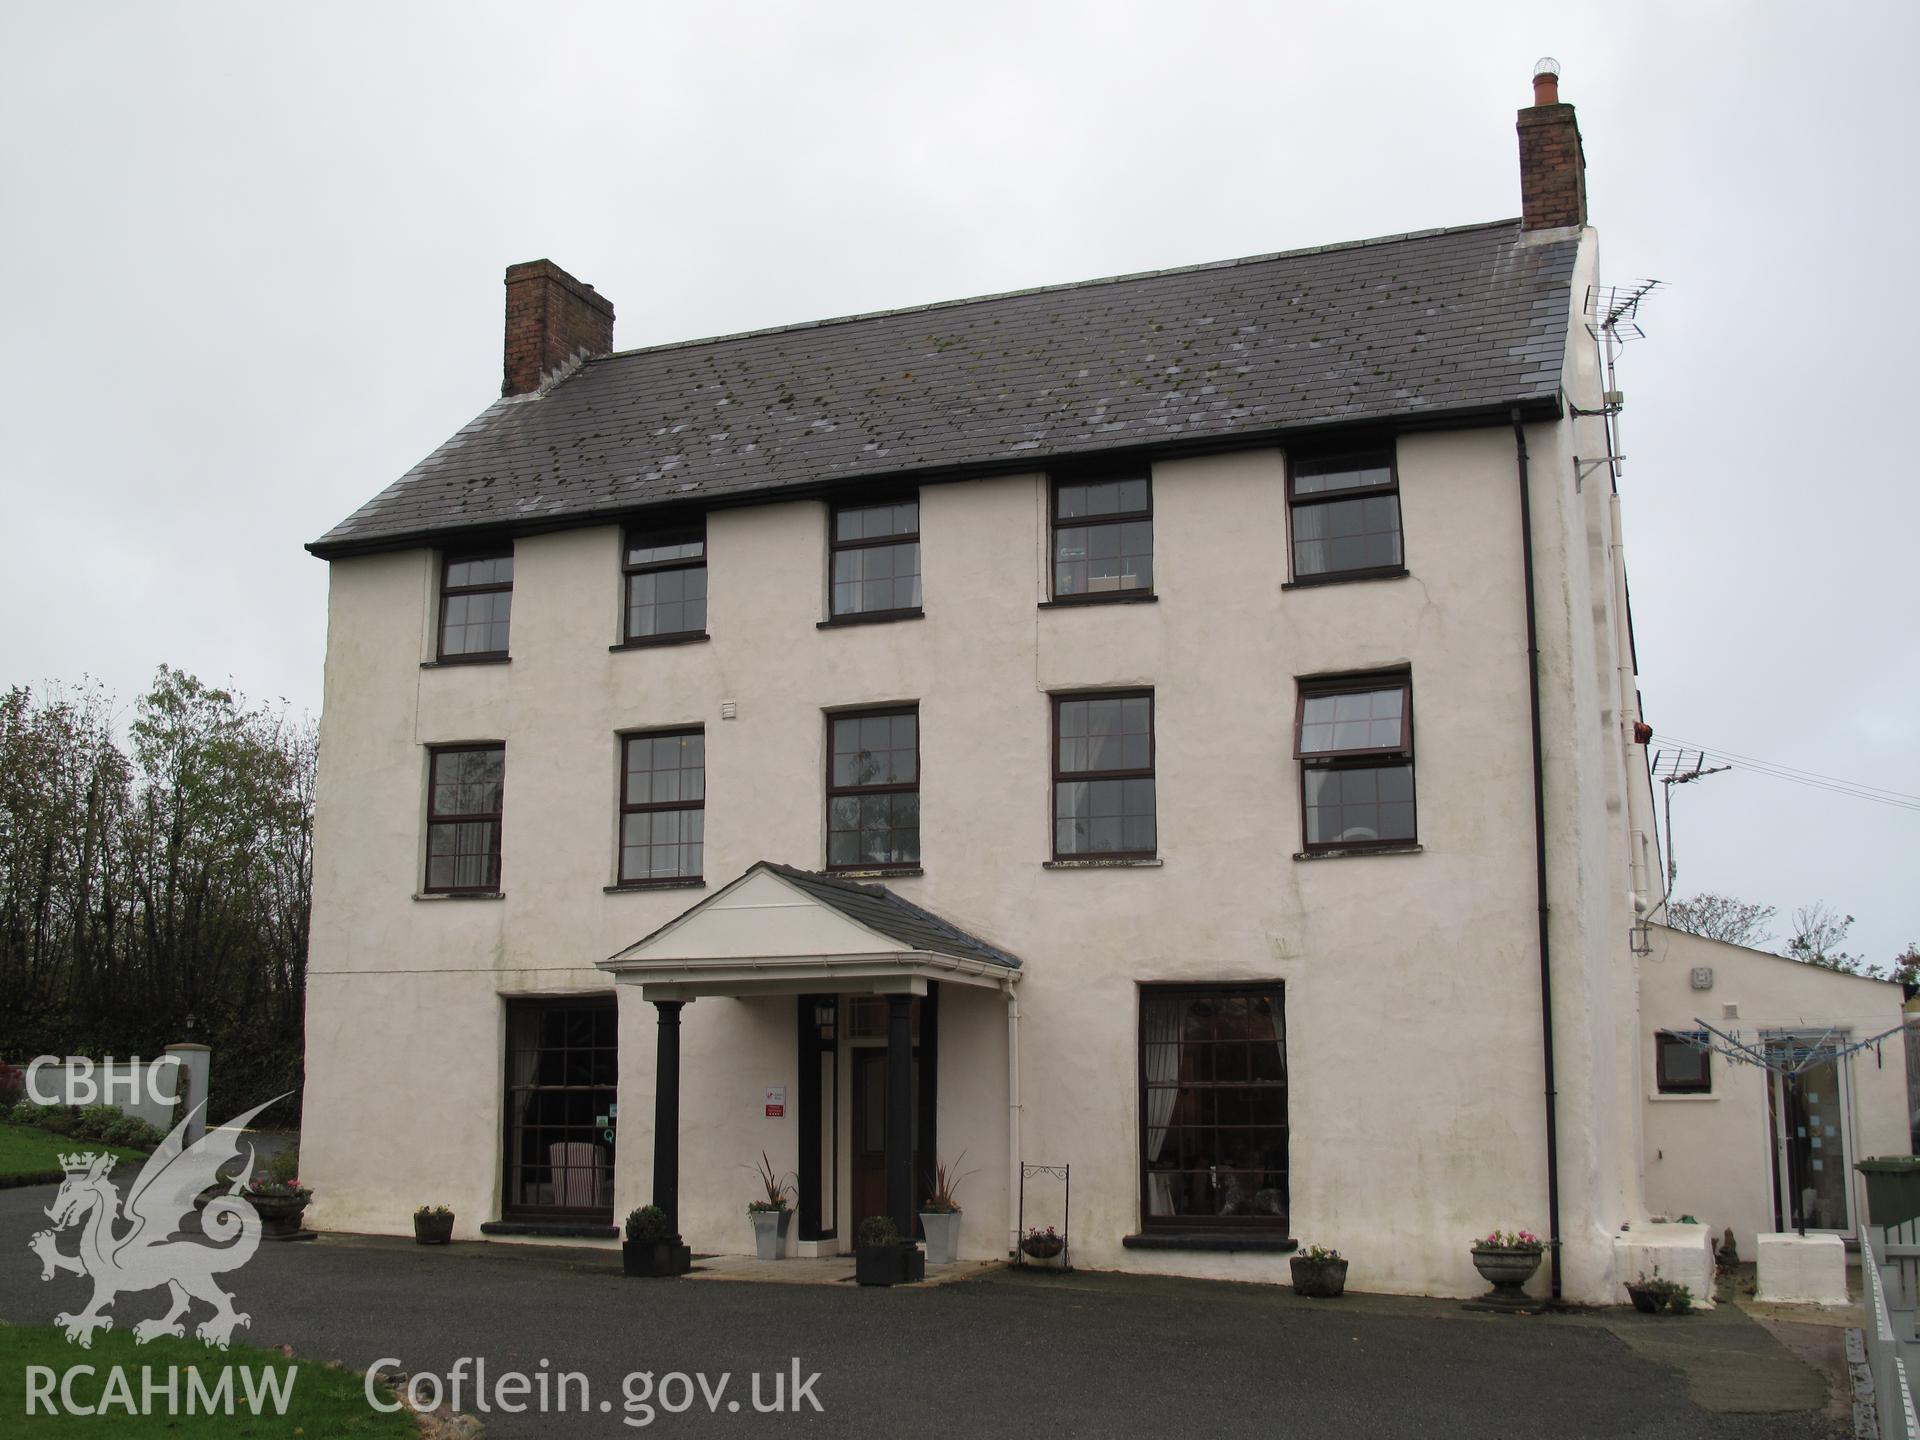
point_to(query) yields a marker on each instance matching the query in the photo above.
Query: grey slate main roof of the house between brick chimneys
(1412, 329)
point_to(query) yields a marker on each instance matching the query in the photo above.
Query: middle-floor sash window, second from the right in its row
(1105, 777)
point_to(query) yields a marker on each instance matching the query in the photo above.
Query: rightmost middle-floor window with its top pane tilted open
(1355, 742)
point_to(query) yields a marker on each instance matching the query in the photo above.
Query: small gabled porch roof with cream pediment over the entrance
(780, 930)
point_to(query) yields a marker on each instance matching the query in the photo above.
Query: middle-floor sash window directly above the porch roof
(875, 790)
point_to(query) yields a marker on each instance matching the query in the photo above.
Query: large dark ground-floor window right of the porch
(1214, 1107)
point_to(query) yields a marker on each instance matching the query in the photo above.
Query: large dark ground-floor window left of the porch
(564, 1067)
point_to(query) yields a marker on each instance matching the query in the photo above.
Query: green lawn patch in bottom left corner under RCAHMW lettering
(322, 1403)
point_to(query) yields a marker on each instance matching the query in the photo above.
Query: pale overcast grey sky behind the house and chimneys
(252, 262)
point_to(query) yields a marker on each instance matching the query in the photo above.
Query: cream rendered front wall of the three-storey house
(1412, 980)
